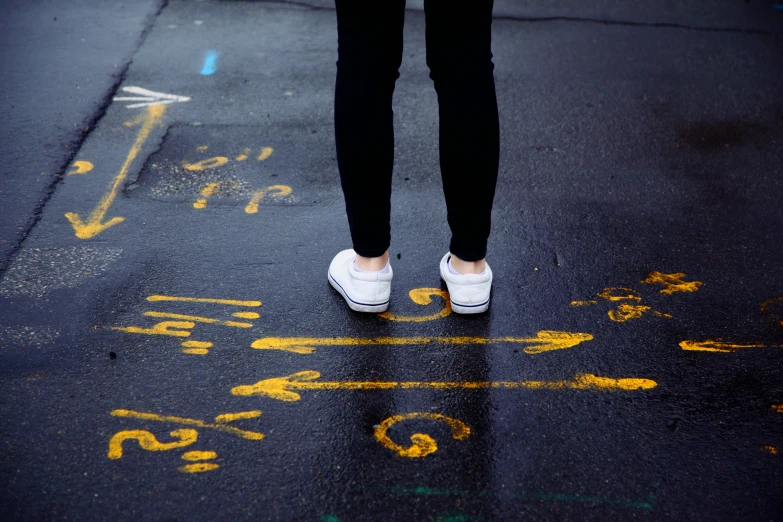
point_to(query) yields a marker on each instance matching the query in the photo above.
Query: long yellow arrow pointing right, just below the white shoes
(544, 341)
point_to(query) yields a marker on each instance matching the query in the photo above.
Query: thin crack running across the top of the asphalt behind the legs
(531, 19)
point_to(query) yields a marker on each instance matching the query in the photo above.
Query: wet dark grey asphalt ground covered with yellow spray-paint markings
(638, 204)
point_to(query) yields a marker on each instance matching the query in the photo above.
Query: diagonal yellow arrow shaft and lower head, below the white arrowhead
(94, 225)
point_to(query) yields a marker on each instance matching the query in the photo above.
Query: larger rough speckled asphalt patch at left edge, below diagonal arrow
(37, 271)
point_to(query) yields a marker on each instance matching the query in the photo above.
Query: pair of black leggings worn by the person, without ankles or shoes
(460, 61)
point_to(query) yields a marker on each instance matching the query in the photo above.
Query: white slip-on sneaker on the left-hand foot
(363, 291)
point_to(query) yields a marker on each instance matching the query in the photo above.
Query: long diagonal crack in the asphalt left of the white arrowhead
(87, 127)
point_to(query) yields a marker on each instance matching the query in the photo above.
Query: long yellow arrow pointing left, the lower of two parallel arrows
(280, 388)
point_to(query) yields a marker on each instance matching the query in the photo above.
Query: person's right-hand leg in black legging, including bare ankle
(460, 60)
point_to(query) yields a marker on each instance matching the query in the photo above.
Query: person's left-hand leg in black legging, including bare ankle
(369, 57)
